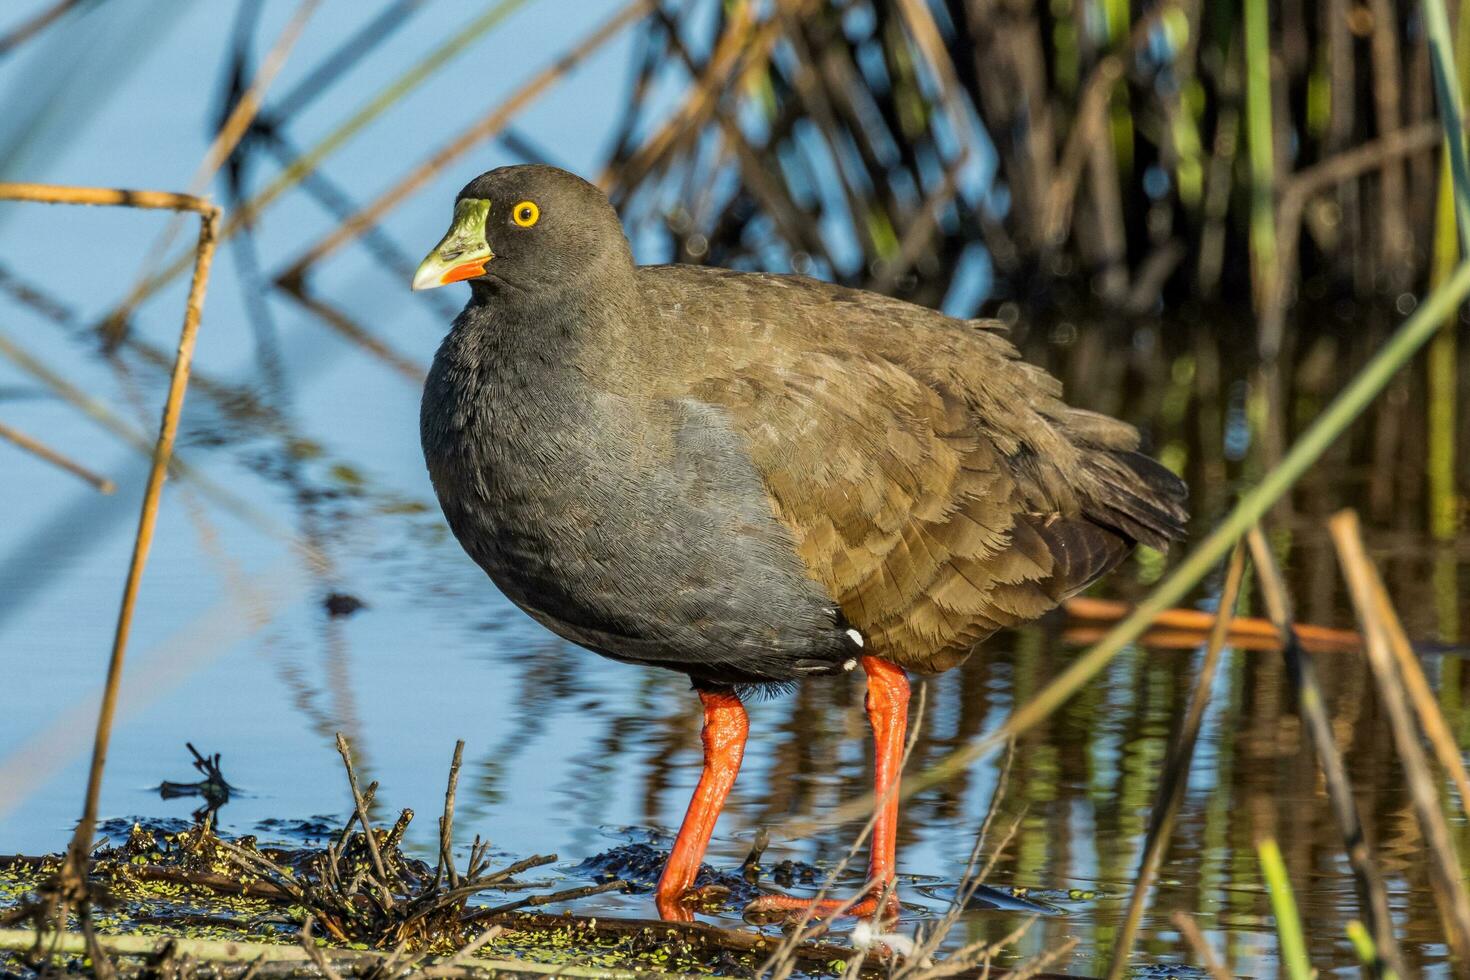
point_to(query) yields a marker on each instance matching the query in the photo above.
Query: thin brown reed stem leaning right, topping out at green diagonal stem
(1177, 771)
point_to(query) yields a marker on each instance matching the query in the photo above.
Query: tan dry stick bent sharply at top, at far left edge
(73, 878)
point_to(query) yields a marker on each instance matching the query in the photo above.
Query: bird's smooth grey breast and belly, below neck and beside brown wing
(636, 527)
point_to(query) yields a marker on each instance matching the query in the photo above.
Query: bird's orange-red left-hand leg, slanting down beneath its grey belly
(724, 737)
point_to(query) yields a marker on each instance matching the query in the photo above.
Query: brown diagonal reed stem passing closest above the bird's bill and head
(487, 127)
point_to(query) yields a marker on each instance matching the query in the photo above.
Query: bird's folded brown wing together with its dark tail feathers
(934, 484)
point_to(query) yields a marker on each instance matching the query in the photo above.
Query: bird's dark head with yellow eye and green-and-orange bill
(527, 228)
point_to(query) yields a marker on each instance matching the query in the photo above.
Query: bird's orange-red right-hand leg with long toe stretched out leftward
(889, 713)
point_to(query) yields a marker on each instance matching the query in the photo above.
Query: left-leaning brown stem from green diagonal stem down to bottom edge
(1366, 876)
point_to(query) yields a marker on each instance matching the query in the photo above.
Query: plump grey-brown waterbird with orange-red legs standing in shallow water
(755, 478)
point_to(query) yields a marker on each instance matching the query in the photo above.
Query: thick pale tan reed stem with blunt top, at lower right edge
(1444, 862)
